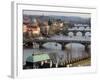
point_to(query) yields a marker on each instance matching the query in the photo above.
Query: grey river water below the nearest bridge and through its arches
(73, 50)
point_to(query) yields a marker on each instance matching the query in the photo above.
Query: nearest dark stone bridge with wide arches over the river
(60, 41)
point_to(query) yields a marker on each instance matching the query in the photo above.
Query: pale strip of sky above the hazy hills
(45, 13)
